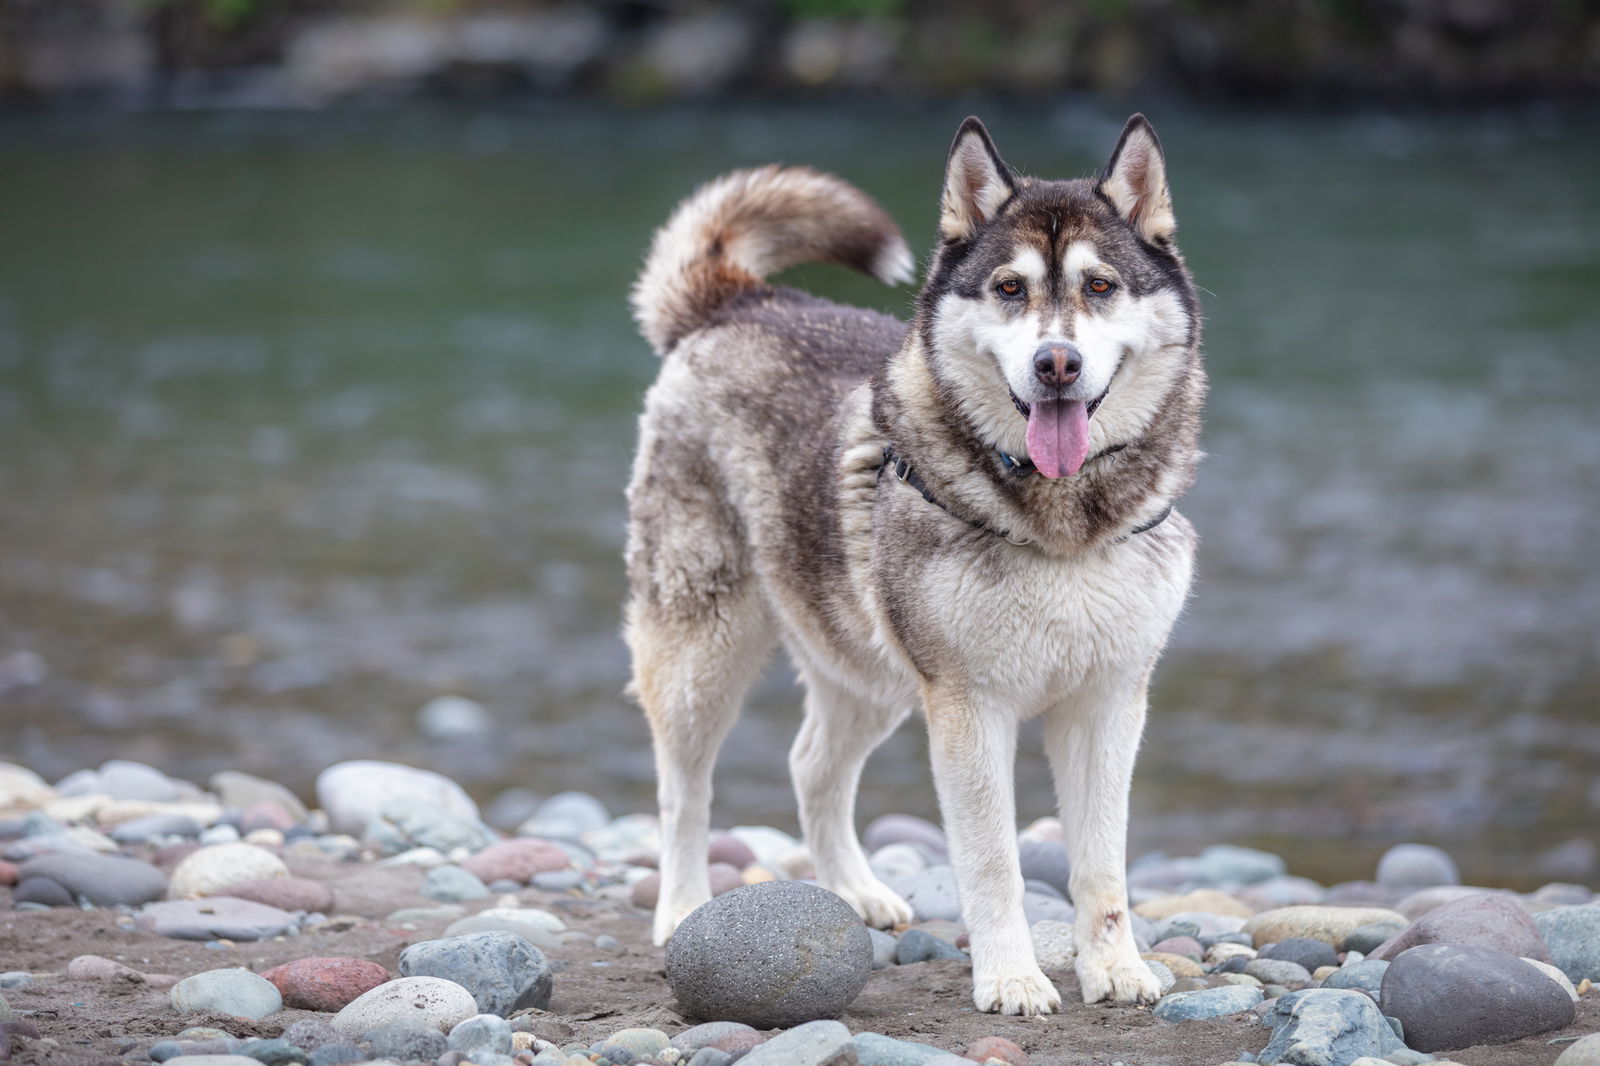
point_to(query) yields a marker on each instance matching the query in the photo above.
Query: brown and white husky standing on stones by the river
(970, 515)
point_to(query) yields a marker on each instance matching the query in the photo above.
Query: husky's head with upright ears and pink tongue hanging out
(1055, 303)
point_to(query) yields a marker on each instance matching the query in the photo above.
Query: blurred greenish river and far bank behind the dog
(318, 387)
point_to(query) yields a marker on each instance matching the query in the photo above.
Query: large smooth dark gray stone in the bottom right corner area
(1454, 996)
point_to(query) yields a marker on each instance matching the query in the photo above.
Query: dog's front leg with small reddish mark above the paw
(1092, 748)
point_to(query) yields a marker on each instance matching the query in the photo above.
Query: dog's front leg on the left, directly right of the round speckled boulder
(974, 751)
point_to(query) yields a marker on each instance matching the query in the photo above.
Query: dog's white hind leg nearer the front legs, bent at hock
(841, 731)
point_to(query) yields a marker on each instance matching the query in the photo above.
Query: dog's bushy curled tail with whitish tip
(730, 234)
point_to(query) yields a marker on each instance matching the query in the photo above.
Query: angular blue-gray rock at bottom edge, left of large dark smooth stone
(1327, 1027)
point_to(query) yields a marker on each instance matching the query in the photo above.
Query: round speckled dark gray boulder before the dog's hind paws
(770, 955)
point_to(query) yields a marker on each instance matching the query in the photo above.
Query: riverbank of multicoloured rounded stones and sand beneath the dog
(151, 920)
